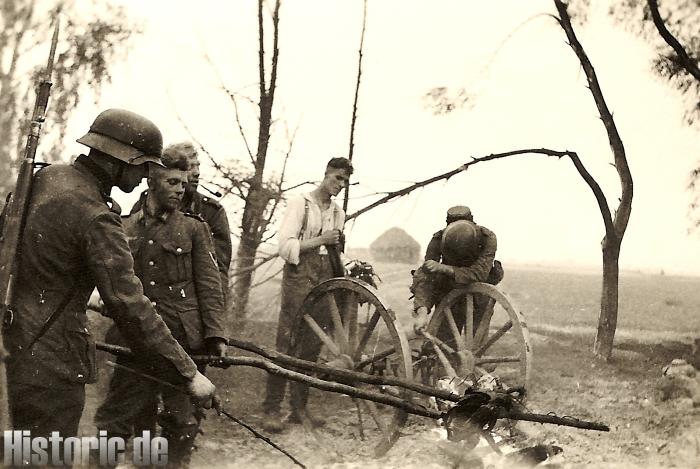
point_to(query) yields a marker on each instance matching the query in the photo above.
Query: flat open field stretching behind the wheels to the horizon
(651, 305)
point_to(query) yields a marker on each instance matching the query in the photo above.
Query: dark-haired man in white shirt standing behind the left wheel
(311, 222)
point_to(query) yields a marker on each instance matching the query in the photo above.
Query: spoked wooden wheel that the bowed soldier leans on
(476, 330)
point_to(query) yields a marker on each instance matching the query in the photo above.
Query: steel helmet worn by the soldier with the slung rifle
(126, 136)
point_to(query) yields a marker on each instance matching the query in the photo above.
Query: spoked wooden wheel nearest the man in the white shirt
(356, 331)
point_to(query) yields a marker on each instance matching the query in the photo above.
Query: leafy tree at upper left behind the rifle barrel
(89, 44)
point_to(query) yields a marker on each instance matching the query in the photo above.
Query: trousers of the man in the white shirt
(294, 337)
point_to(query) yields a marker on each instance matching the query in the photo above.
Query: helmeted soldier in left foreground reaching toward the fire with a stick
(73, 242)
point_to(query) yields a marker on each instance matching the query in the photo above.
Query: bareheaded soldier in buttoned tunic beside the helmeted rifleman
(174, 258)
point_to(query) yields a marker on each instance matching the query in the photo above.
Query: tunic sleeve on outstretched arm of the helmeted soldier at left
(111, 264)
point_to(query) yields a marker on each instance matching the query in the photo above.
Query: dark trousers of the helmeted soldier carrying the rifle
(43, 410)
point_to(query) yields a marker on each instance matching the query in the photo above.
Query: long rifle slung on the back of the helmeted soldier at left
(15, 215)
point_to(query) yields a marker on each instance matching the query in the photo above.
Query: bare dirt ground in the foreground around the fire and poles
(566, 381)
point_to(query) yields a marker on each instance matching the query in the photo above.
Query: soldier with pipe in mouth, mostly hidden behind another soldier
(209, 209)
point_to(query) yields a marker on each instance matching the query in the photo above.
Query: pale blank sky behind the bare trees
(526, 90)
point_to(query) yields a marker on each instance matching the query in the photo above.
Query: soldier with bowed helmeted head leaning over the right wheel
(461, 253)
